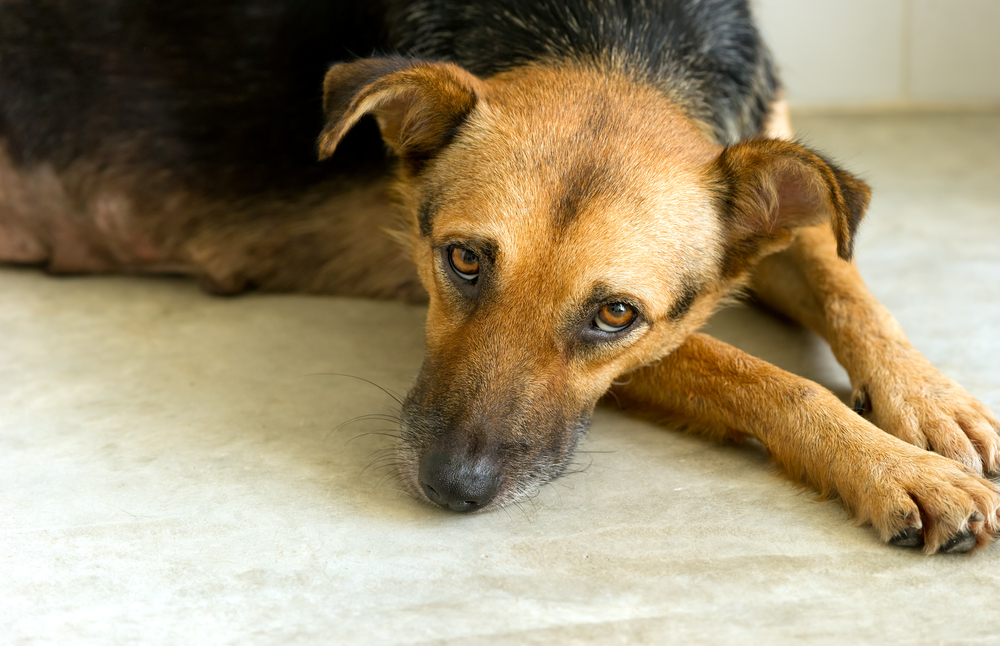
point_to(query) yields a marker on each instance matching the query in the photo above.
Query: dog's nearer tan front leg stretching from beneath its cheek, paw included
(910, 496)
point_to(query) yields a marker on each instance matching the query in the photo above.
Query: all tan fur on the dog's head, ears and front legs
(653, 185)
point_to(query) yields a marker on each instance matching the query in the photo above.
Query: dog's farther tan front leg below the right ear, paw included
(894, 385)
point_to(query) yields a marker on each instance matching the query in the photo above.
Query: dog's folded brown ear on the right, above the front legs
(767, 186)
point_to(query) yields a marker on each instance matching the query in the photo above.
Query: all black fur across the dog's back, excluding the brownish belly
(225, 96)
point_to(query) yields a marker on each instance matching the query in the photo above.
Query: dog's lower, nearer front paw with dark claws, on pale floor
(919, 499)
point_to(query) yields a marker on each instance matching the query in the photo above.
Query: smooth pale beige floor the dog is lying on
(176, 468)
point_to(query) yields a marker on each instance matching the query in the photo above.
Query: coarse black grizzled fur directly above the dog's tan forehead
(705, 54)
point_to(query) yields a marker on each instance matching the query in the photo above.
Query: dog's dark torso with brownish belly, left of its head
(148, 136)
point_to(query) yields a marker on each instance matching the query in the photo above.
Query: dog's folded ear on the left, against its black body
(419, 105)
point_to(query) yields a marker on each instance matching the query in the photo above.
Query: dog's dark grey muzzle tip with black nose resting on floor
(471, 471)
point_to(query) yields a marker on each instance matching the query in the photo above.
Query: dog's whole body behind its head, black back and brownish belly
(149, 136)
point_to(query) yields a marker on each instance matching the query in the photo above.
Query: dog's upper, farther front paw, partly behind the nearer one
(912, 400)
